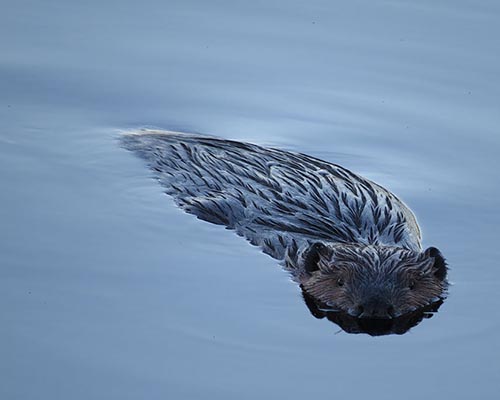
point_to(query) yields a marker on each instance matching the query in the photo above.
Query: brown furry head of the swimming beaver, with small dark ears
(373, 281)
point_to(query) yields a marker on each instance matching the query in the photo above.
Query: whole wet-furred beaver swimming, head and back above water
(353, 246)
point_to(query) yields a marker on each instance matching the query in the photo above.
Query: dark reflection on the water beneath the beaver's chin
(371, 326)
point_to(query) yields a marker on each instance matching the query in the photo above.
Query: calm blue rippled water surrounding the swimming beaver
(110, 292)
